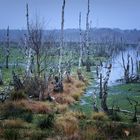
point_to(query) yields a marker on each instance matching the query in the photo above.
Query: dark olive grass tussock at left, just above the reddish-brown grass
(18, 95)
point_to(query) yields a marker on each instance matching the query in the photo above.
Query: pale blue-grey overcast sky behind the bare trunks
(124, 14)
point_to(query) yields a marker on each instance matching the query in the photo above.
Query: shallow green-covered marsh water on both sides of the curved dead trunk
(117, 96)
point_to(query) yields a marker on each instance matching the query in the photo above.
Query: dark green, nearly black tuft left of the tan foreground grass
(47, 122)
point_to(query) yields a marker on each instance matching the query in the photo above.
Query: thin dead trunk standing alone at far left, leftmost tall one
(7, 49)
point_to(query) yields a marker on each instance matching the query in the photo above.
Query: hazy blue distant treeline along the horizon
(97, 35)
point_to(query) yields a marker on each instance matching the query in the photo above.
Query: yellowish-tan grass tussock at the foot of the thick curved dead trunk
(100, 116)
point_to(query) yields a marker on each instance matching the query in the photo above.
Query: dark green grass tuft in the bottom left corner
(11, 134)
